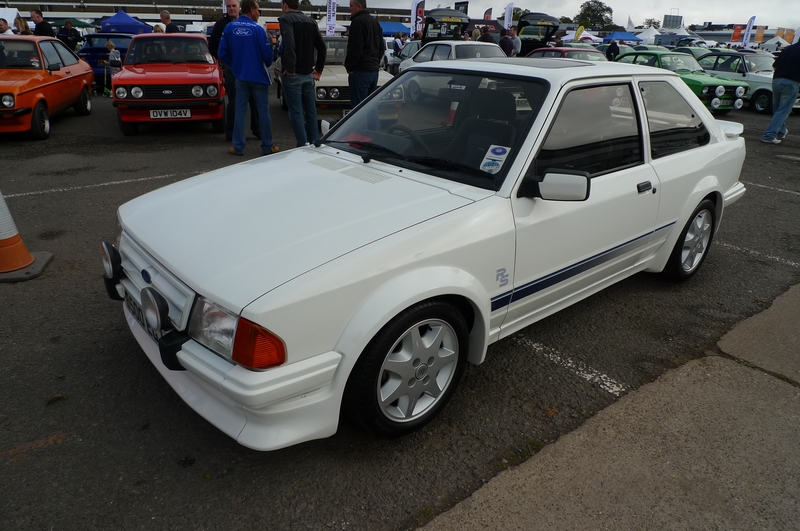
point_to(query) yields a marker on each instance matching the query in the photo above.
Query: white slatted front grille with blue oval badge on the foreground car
(135, 260)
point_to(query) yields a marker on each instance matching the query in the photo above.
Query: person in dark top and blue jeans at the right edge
(785, 85)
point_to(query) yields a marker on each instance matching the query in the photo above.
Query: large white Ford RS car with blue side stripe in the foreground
(357, 277)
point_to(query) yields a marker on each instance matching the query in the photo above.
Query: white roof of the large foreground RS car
(555, 69)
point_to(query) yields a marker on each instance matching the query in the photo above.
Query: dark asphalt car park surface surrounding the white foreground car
(92, 437)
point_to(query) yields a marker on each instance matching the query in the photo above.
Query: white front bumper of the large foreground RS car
(262, 410)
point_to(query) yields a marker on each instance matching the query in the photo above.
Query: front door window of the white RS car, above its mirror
(596, 131)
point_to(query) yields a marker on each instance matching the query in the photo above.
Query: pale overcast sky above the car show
(772, 13)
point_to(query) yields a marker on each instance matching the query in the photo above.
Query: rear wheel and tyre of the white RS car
(692, 247)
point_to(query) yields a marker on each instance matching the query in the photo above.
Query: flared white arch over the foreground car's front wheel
(440, 283)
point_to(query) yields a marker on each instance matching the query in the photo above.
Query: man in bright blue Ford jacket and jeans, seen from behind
(244, 48)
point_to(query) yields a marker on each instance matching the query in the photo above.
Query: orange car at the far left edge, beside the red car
(39, 77)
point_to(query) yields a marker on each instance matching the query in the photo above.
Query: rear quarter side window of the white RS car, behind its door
(674, 126)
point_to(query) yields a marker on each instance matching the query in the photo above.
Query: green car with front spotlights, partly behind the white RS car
(719, 95)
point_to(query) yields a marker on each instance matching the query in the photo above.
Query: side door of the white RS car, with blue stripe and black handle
(567, 250)
